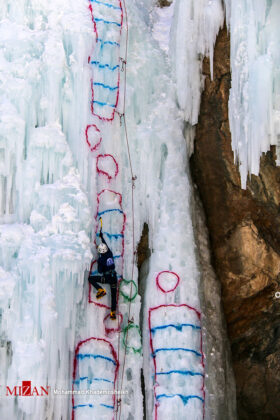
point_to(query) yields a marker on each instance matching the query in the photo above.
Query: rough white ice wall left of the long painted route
(44, 209)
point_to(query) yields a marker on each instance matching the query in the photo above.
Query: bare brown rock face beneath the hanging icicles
(245, 245)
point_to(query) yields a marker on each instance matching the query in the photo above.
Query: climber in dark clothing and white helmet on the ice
(108, 275)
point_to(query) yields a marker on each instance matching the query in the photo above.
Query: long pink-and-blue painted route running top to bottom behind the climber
(96, 358)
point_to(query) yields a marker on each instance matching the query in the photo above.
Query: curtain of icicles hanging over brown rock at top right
(254, 103)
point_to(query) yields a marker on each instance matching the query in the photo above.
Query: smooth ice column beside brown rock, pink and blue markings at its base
(173, 359)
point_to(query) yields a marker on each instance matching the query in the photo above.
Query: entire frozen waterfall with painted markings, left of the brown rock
(68, 86)
